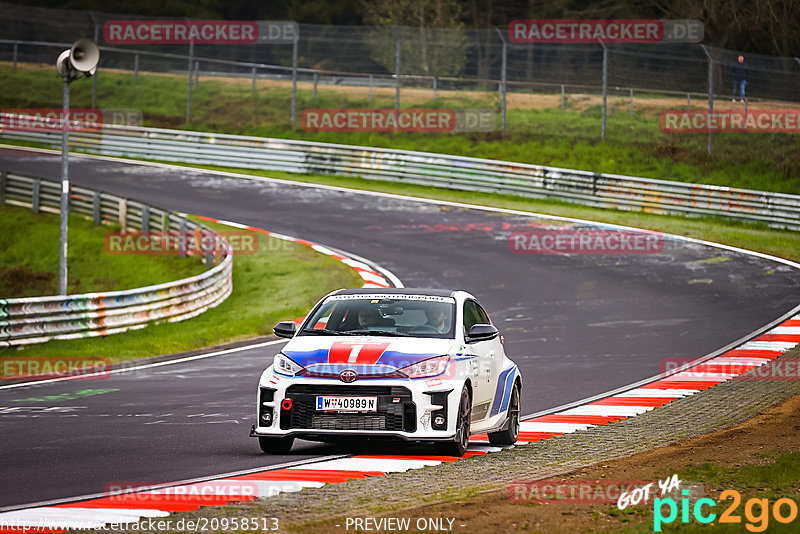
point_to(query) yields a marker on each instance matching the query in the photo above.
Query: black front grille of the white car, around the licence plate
(391, 416)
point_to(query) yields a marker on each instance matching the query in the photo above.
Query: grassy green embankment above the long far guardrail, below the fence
(542, 135)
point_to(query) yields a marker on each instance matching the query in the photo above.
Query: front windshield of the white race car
(384, 315)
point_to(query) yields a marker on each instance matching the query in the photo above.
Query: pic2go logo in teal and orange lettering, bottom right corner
(756, 511)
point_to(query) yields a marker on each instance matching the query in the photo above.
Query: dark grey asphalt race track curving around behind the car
(576, 325)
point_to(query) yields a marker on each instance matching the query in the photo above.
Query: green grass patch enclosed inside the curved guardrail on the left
(29, 258)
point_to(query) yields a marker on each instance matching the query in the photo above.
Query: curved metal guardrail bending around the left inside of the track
(25, 321)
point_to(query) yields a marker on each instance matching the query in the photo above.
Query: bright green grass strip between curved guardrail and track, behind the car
(281, 281)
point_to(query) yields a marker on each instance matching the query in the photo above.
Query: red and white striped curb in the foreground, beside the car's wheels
(160, 503)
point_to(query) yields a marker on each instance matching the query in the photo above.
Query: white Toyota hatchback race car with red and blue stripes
(420, 365)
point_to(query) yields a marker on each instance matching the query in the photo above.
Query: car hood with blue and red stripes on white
(365, 354)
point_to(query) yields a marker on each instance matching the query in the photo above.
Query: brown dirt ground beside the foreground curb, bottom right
(775, 430)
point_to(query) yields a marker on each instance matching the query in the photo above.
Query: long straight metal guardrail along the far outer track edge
(440, 170)
